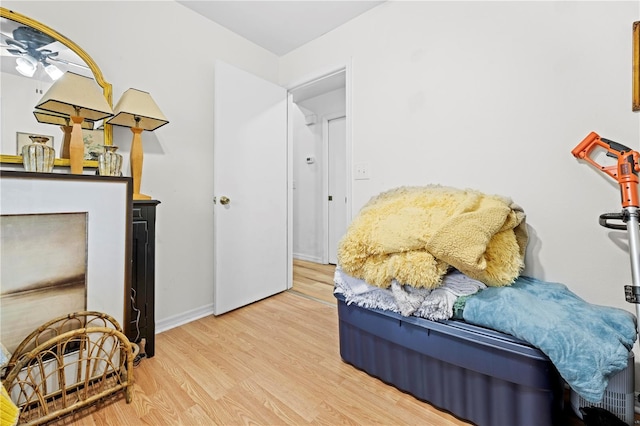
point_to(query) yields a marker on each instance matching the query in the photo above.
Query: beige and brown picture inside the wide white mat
(44, 270)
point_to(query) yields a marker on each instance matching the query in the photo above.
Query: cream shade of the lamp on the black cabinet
(137, 109)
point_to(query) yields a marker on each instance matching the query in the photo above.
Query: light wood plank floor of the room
(274, 362)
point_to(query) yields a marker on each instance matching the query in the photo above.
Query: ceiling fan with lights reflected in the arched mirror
(32, 47)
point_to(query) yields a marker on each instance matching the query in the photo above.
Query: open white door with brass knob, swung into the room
(250, 170)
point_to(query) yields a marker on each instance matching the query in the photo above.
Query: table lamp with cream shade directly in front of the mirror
(77, 97)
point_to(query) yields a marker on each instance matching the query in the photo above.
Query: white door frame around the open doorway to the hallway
(347, 68)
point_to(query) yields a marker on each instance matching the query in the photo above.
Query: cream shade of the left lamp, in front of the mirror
(74, 91)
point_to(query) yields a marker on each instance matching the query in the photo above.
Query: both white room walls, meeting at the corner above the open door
(487, 95)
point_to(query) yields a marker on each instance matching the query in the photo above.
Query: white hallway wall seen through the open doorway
(308, 203)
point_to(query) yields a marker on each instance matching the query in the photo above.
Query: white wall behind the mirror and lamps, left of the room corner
(165, 49)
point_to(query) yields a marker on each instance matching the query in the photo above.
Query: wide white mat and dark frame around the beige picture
(107, 202)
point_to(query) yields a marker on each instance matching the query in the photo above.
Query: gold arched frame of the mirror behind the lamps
(97, 73)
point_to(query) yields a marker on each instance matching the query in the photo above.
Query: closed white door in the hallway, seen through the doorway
(337, 138)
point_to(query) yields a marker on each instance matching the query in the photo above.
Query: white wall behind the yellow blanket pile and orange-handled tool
(494, 96)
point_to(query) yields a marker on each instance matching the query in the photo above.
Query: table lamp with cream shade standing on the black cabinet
(137, 110)
